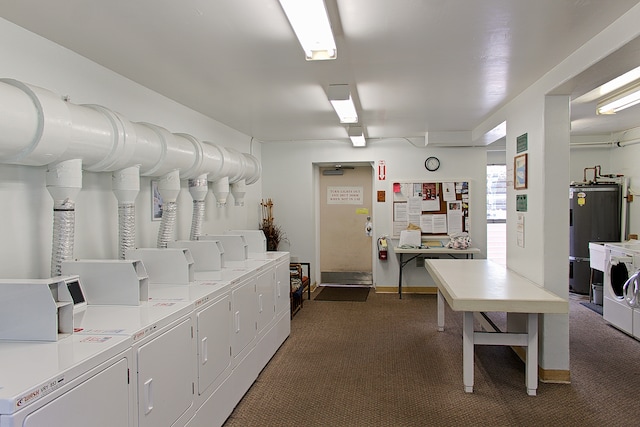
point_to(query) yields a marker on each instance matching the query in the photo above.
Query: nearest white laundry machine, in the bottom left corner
(76, 381)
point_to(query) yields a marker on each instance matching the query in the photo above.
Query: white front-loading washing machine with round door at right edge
(622, 262)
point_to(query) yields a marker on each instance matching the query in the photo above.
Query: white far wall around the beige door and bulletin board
(288, 179)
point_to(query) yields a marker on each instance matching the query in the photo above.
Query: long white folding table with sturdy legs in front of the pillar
(479, 286)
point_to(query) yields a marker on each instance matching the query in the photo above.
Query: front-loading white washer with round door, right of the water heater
(621, 285)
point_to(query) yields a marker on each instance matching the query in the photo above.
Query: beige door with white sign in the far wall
(345, 202)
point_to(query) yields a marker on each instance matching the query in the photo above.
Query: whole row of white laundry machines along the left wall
(185, 357)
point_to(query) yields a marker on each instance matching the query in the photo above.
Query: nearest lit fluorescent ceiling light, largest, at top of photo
(310, 22)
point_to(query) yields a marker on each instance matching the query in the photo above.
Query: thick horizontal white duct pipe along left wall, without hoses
(38, 127)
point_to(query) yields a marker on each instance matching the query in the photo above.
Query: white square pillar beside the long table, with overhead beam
(526, 114)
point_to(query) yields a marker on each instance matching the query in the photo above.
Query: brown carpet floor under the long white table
(382, 363)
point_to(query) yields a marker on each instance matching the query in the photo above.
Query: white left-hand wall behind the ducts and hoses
(26, 217)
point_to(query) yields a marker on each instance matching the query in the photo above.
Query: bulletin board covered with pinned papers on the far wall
(438, 208)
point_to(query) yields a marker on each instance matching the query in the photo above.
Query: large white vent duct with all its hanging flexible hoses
(38, 128)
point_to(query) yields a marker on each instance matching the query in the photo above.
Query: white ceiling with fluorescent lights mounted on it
(417, 65)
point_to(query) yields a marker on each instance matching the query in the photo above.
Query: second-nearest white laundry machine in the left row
(162, 337)
